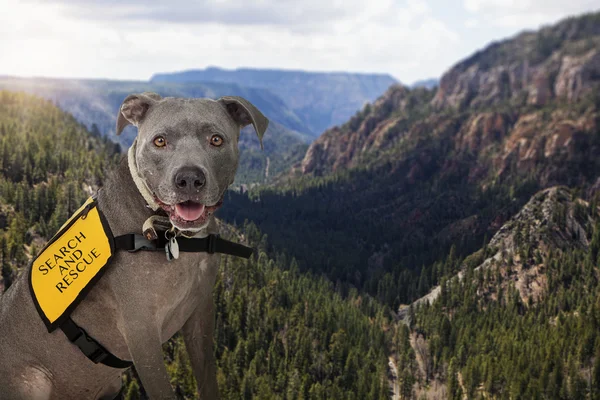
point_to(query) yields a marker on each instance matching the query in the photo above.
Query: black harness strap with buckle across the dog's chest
(210, 244)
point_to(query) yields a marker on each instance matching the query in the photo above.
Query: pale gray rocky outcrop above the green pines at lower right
(553, 220)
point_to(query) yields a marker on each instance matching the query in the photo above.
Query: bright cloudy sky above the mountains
(133, 39)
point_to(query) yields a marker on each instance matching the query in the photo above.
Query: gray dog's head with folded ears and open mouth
(187, 150)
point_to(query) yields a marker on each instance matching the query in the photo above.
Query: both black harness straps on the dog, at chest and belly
(132, 243)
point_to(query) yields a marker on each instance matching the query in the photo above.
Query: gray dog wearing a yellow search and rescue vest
(186, 155)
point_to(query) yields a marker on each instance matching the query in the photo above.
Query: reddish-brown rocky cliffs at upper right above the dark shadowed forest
(527, 105)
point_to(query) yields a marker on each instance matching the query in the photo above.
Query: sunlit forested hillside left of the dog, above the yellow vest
(50, 165)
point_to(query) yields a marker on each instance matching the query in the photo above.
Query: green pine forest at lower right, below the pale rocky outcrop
(484, 339)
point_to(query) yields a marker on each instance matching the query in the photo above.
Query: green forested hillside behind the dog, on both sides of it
(278, 331)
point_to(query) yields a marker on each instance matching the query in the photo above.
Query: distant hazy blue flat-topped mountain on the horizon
(320, 99)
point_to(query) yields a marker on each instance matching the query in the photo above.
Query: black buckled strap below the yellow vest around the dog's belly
(90, 347)
